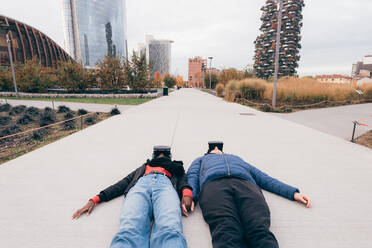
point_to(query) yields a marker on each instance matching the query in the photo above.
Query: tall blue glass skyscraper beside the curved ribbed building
(94, 29)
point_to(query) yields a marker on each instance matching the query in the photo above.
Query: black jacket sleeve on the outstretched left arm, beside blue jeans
(117, 189)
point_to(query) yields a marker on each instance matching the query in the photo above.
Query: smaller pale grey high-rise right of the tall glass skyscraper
(158, 54)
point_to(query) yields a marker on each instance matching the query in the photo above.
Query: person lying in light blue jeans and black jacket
(152, 194)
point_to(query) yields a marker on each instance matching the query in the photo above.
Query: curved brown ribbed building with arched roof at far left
(28, 43)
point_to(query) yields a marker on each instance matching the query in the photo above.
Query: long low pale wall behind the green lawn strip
(48, 95)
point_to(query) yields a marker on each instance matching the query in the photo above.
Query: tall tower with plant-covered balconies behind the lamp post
(264, 60)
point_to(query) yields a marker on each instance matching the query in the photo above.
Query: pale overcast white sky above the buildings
(336, 33)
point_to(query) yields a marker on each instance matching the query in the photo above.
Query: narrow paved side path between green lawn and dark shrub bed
(72, 105)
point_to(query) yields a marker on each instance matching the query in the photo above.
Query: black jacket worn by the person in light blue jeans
(179, 179)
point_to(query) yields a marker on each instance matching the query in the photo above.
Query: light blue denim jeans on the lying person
(153, 197)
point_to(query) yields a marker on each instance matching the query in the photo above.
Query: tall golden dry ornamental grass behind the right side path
(295, 91)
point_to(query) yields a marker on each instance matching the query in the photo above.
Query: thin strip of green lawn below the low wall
(119, 101)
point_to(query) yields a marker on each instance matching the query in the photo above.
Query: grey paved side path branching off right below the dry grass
(337, 121)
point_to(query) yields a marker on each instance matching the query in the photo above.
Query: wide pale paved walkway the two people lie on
(39, 191)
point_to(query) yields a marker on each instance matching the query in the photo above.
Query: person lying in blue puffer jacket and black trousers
(229, 193)
